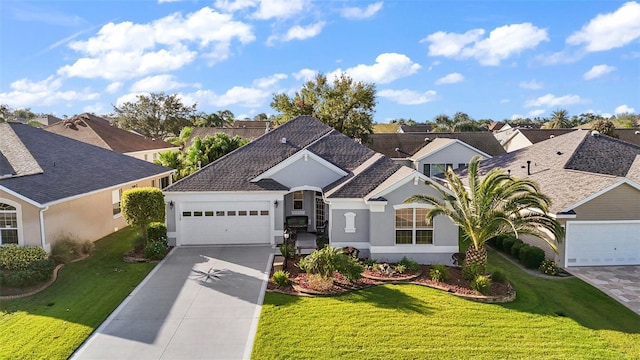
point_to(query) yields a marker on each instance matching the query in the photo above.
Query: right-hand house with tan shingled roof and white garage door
(593, 181)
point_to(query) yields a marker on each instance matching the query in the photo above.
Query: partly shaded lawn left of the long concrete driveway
(53, 323)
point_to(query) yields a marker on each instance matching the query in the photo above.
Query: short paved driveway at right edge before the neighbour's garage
(620, 282)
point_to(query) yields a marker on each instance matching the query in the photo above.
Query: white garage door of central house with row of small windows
(214, 223)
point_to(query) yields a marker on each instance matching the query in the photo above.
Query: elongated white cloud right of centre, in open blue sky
(502, 43)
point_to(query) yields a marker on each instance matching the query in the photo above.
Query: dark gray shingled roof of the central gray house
(235, 171)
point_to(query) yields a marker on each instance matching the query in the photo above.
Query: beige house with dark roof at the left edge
(52, 186)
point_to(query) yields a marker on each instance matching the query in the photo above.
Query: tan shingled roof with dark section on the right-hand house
(571, 167)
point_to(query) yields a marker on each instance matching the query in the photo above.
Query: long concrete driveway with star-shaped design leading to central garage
(177, 313)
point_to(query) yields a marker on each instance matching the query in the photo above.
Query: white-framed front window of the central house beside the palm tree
(413, 227)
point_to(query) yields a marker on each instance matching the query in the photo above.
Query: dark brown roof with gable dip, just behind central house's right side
(400, 145)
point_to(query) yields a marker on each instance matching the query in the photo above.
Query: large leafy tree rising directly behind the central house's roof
(346, 105)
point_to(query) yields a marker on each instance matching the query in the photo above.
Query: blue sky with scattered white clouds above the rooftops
(491, 59)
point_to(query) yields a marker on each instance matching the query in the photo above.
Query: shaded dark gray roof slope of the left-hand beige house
(72, 167)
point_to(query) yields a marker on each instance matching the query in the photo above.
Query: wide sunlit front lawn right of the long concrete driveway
(558, 318)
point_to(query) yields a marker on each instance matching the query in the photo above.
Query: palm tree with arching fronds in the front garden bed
(495, 205)
